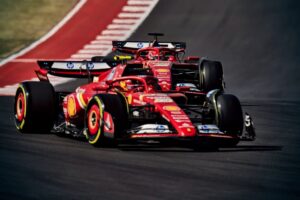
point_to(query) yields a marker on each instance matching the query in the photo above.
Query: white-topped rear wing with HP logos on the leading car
(72, 69)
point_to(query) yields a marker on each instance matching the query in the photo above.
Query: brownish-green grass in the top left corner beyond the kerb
(24, 21)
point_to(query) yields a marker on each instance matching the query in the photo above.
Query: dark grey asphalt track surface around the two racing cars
(257, 41)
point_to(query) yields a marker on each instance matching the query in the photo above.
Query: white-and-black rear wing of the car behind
(133, 46)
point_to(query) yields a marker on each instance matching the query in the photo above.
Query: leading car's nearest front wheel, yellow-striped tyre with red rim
(106, 118)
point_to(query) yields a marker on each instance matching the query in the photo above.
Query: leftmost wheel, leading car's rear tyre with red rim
(34, 107)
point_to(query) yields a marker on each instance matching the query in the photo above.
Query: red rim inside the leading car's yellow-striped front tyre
(94, 120)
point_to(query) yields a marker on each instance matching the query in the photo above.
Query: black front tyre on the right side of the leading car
(230, 116)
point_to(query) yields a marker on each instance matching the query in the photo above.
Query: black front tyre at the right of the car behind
(211, 75)
